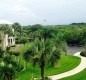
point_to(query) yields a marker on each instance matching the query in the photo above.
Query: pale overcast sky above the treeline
(28, 12)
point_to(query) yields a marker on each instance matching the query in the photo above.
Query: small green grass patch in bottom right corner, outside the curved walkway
(79, 76)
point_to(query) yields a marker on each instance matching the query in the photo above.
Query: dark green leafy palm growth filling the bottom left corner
(8, 67)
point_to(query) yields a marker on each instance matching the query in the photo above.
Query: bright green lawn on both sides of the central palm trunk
(66, 63)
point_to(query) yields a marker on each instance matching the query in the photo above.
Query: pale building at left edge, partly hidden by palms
(7, 40)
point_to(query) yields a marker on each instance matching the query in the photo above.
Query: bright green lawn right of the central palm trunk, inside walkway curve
(66, 63)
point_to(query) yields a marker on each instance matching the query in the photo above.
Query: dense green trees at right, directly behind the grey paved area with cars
(74, 34)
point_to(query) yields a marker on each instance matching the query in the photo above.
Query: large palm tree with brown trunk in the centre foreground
(43, 52)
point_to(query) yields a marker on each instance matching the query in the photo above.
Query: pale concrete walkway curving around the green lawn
(76, 70)
